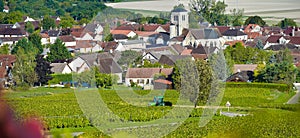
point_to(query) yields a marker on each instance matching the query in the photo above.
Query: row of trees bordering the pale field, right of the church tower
(214, 13)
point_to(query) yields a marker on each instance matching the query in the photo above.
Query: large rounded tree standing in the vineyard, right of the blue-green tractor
(193, 79)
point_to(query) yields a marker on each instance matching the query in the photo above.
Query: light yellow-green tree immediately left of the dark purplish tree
(23, 72)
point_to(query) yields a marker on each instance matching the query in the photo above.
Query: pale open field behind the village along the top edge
(275, 10)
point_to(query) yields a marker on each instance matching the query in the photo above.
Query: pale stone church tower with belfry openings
(179, 21)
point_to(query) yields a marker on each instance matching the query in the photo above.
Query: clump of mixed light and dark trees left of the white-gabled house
(30, 67)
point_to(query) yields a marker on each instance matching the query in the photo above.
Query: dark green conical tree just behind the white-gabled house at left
(58, 51)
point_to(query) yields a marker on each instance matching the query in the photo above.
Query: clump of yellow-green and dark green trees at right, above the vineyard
(273, 67)
